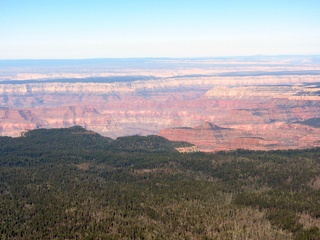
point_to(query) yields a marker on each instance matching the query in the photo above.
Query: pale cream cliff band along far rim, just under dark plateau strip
(19, 88)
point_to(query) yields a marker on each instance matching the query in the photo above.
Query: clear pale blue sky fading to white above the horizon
(76, 29)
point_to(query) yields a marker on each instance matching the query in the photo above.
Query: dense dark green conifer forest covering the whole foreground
(75, 184)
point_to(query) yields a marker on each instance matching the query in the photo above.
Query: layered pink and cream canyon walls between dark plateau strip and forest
(255, 116)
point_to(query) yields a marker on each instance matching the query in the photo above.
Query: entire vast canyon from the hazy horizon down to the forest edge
(217, 105)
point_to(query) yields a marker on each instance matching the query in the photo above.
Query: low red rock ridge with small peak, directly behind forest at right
(259, 137)
